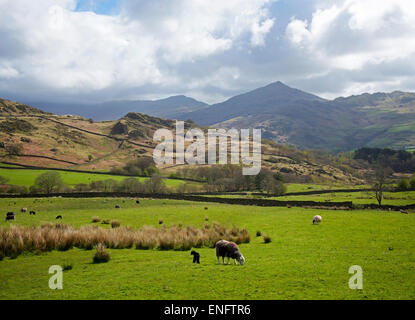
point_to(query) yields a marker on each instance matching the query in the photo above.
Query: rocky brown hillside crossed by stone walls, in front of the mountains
(74, 142)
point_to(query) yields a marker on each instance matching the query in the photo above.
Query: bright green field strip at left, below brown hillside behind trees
(27, 177)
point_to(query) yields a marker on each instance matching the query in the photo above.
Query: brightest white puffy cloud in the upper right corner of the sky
(352, 34)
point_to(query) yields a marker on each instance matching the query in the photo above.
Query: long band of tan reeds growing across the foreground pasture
(17, 239)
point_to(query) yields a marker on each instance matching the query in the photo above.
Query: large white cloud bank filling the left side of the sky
(82, 52)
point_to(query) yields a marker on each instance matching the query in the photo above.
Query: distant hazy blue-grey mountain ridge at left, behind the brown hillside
(110, 110)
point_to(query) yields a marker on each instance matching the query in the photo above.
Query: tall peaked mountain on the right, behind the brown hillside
(291, 116)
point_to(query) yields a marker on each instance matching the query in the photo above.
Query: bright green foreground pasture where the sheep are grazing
(303, 261)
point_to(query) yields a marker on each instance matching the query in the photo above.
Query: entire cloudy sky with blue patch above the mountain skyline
(97, 50)
